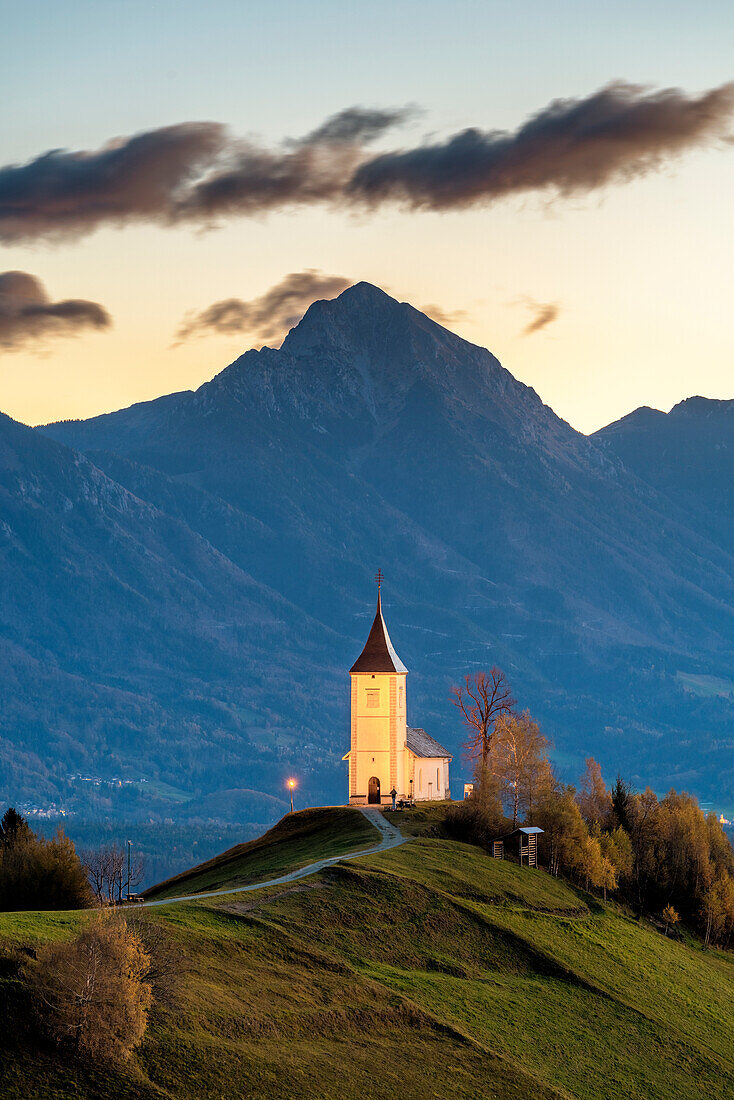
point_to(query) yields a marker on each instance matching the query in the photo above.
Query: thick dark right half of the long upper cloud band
(573, 146)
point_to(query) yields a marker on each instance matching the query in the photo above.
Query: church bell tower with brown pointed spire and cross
(377, 756)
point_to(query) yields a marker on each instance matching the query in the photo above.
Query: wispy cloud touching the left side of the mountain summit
(268, 320)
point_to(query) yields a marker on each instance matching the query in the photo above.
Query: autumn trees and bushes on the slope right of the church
(664, 857)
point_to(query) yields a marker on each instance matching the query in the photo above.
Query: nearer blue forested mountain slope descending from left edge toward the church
(124, 640)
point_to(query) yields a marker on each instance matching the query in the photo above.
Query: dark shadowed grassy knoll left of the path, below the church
(298, 840)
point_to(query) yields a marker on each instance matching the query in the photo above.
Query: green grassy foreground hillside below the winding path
(429, 971)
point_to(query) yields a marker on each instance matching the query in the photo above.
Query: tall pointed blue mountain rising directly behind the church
(375, 437)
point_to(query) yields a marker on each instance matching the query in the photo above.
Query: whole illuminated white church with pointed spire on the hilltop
(387, 755)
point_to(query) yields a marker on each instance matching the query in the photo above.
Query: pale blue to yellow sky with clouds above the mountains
(589, 246)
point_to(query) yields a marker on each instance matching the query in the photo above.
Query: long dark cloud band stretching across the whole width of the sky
(200, 173)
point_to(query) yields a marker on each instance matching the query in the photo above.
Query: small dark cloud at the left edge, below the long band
(27, 314)
